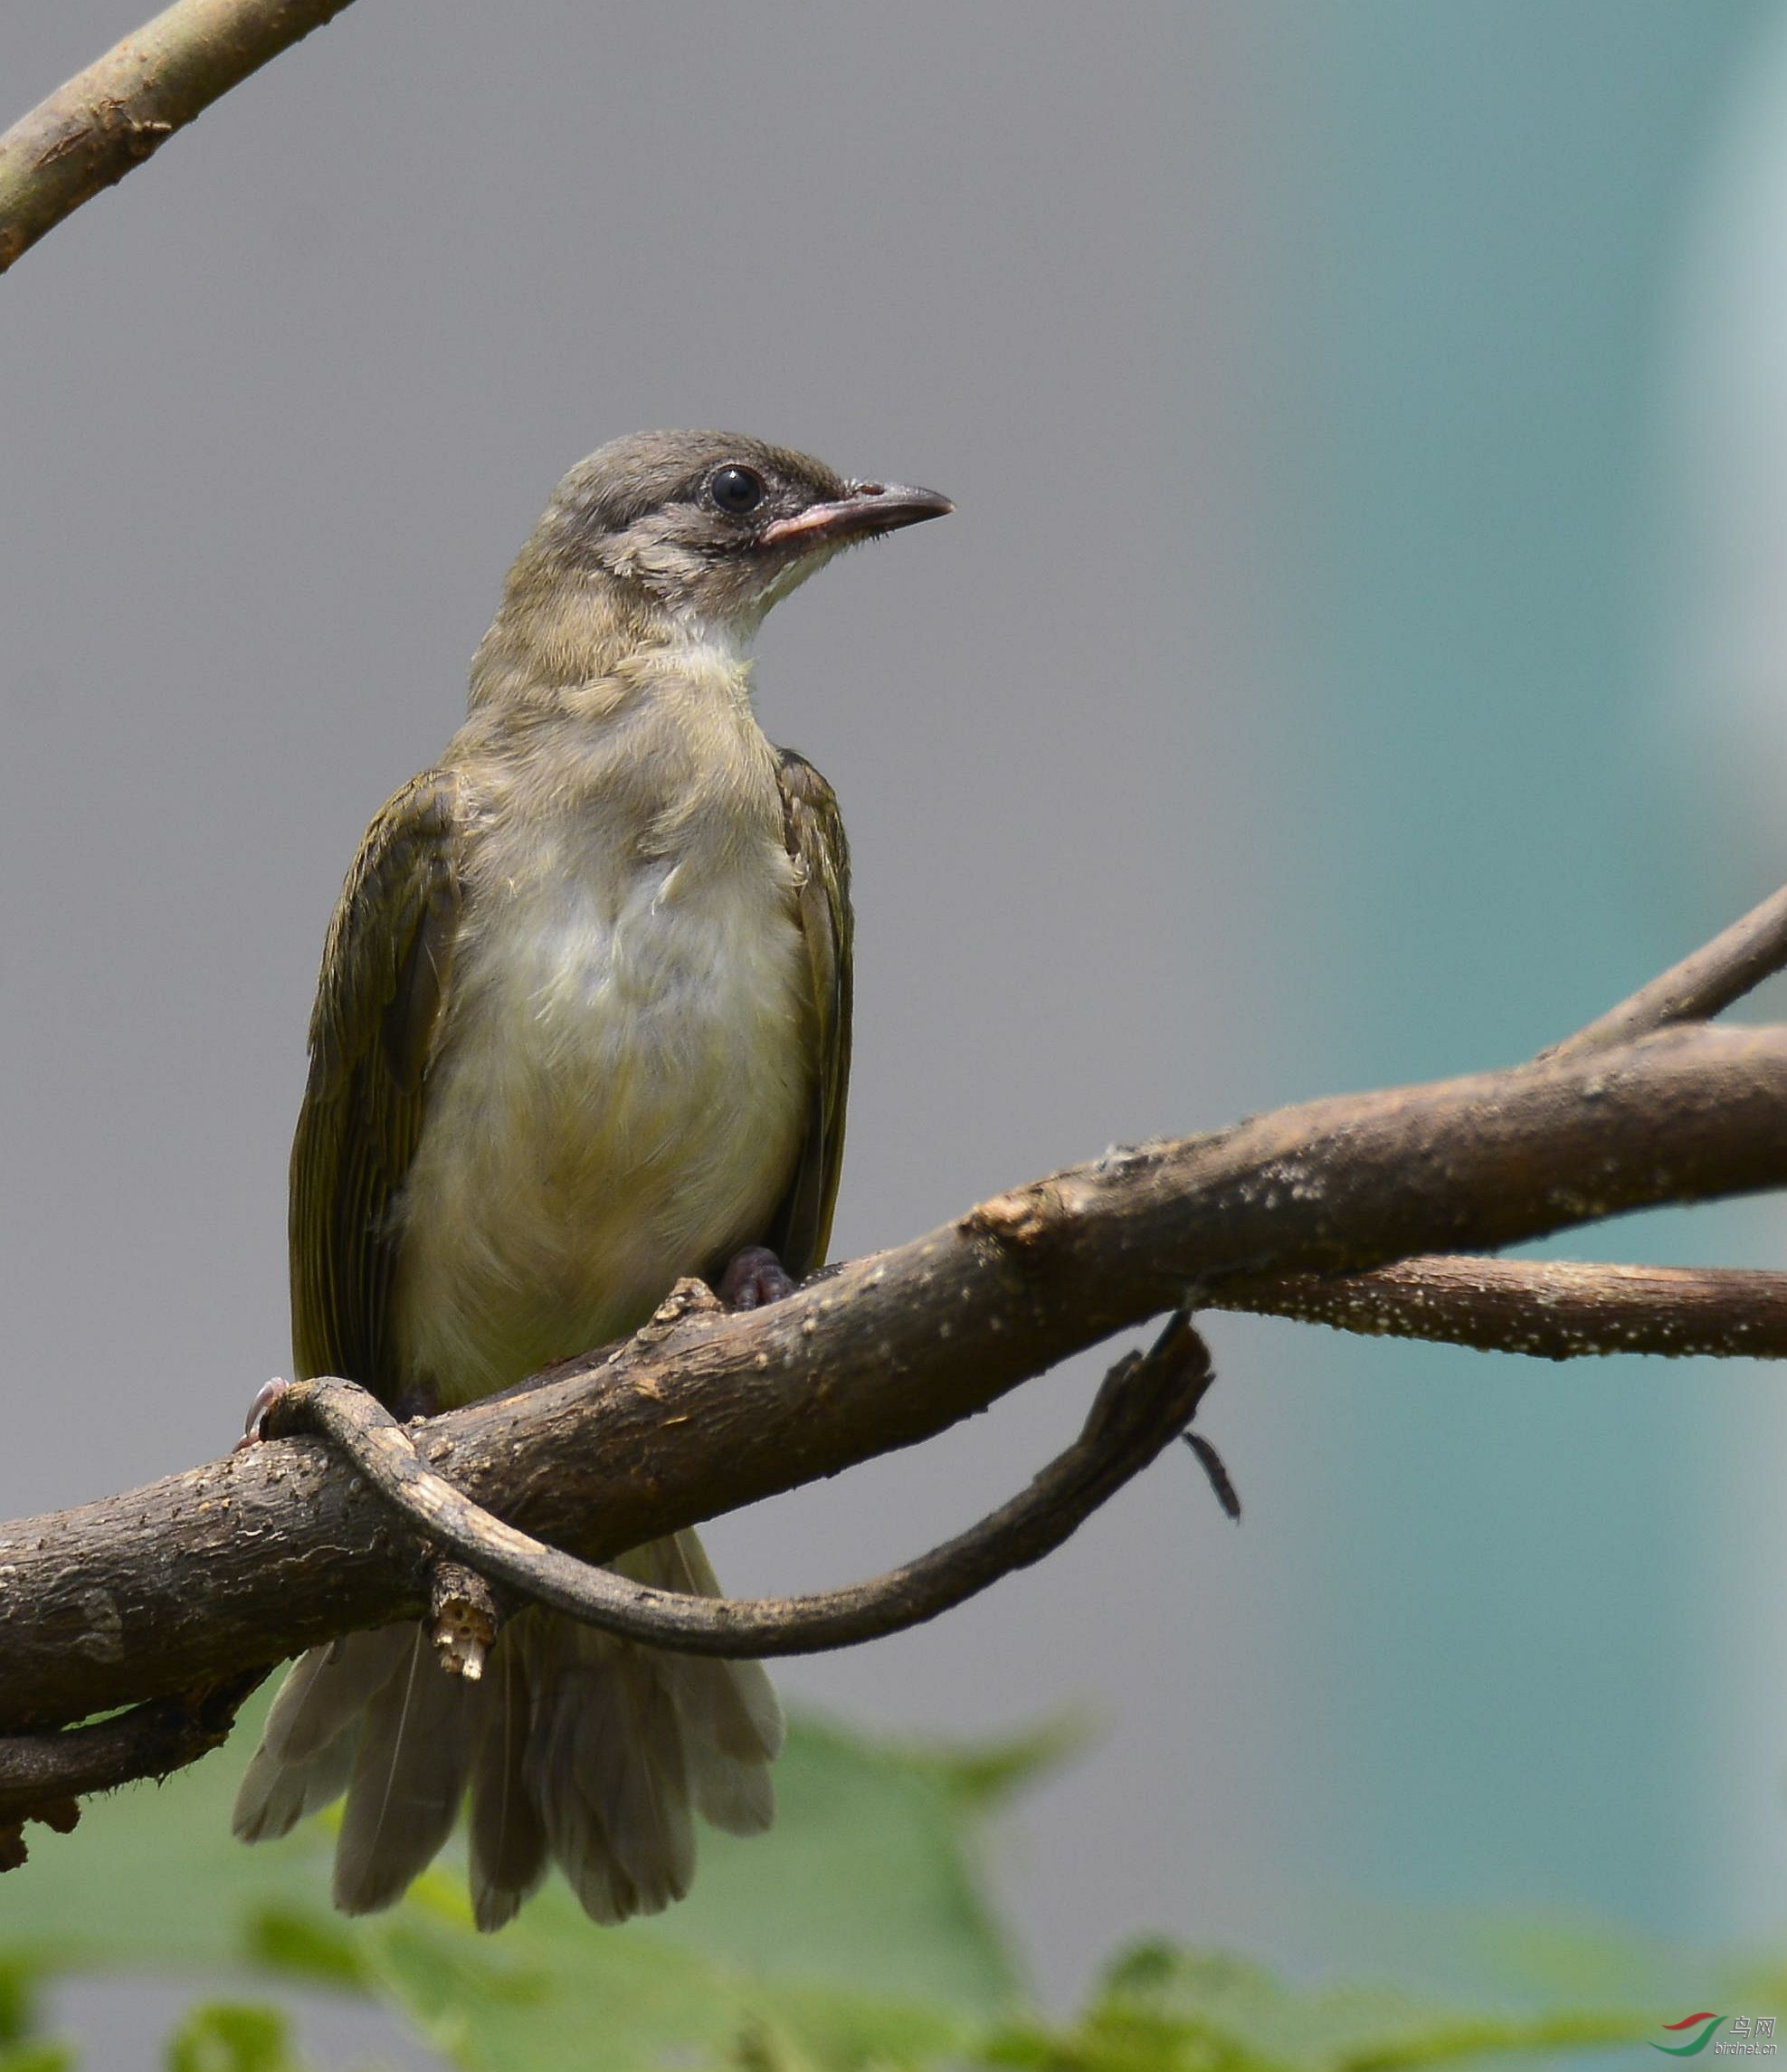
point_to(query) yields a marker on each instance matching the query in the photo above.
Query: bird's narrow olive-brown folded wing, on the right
(822, 859)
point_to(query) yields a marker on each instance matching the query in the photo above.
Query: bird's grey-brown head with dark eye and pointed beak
(716, 527)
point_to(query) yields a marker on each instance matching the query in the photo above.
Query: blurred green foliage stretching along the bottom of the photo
(855, 1938)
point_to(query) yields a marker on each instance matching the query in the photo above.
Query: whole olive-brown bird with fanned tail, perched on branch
(582, 1031)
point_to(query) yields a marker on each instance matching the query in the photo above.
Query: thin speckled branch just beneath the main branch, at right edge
(1550, 1308)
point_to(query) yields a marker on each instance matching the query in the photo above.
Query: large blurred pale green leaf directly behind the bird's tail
(853, 1934)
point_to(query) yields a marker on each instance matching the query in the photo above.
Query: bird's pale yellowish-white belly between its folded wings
(621, 1103)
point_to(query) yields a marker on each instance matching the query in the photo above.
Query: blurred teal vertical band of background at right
(1519, 1592)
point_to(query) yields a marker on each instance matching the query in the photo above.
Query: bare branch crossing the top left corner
(127, 105)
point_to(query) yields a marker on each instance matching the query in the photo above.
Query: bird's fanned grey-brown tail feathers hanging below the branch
(577, 1750)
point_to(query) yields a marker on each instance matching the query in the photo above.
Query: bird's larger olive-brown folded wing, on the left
(387, 971)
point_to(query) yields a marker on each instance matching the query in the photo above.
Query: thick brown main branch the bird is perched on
(266, 1553)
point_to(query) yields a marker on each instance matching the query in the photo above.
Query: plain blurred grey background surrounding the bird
(281, 411)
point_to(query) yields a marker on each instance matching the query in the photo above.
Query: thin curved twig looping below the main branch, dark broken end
(1143, 1406)
